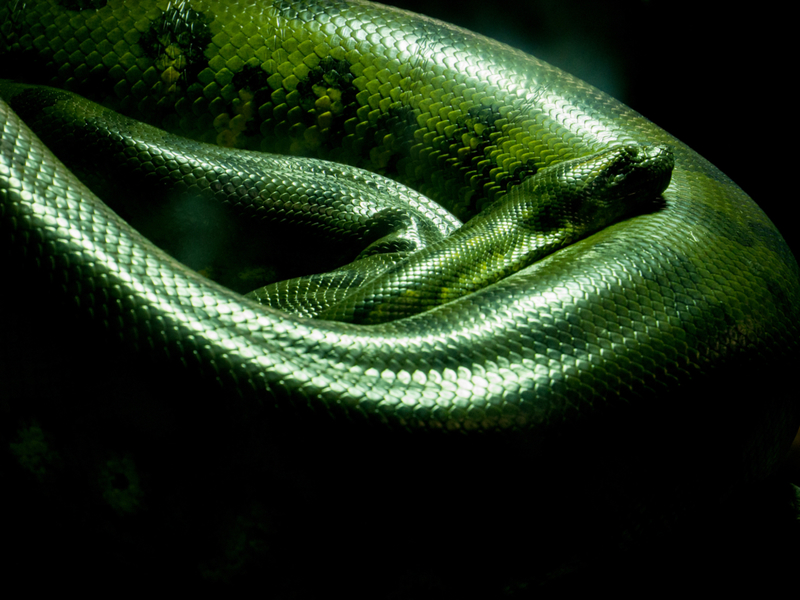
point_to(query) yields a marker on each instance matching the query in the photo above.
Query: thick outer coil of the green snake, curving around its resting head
(611, 342)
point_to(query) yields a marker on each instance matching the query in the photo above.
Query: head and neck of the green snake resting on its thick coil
(554, 208)
